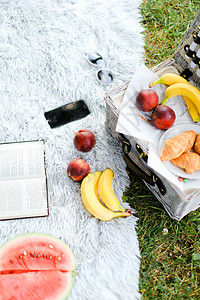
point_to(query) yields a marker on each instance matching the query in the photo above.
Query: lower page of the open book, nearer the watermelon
(23, 198)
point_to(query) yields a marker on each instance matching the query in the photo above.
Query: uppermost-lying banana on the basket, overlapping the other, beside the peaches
(183, 89)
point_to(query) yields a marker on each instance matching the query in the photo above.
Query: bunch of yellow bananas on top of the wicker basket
(177, 85)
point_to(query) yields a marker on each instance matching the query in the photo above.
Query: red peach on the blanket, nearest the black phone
(84, 140)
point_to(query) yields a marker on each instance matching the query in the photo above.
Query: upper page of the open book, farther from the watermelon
(21, 160)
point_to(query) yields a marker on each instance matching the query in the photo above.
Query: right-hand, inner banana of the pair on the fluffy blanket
(106, 191)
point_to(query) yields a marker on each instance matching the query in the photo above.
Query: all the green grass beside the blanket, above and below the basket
(170, 263)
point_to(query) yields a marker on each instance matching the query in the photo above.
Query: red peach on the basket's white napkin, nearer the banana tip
(146, 100)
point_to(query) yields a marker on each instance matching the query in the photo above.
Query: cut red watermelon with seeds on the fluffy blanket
(35, 266)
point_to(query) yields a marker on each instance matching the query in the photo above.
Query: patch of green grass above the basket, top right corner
(166, 22)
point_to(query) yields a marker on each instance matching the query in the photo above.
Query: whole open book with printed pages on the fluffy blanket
(23, 184)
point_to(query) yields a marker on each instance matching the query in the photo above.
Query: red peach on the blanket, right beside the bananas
(78, 169)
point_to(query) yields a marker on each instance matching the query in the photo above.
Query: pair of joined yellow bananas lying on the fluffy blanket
(101, 182)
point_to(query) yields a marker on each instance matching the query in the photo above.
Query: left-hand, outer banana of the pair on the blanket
(91, 201)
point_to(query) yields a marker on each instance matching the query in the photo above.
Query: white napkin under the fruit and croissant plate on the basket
(132, 123)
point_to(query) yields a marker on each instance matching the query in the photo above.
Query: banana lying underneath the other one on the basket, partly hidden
(169, 79)
